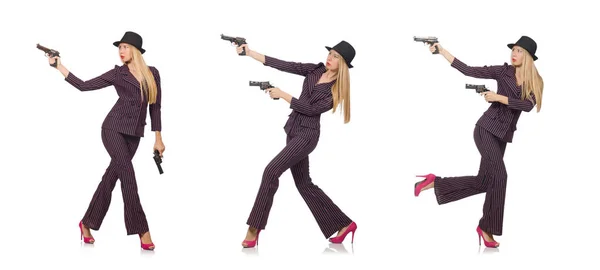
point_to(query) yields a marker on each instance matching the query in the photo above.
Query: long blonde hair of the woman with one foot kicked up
(532, 81)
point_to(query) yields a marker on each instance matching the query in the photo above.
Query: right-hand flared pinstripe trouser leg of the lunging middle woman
(328, 215)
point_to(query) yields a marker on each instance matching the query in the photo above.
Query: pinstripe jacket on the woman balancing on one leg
(499, 119)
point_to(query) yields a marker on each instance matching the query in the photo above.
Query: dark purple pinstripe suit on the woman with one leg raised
(492, 132)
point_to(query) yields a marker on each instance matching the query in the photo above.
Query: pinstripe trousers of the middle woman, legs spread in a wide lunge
(294, 156)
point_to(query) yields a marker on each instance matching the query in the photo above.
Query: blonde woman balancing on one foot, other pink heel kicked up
(520, 88)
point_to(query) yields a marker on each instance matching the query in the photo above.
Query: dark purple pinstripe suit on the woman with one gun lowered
(121, 132)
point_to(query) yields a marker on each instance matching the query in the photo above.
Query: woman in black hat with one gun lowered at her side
(137, 86)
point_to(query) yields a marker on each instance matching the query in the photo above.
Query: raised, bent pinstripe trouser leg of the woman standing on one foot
(449, 189)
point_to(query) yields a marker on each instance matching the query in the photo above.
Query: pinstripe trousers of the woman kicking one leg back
(491, 179)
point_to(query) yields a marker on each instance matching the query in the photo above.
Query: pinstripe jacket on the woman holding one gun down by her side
(128, 115)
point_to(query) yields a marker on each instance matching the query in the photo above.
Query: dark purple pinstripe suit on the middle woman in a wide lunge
(303, 131)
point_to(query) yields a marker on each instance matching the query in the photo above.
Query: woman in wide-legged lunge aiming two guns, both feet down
(325, 87)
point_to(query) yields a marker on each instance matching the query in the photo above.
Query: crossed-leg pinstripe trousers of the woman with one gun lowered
(121, 149)
